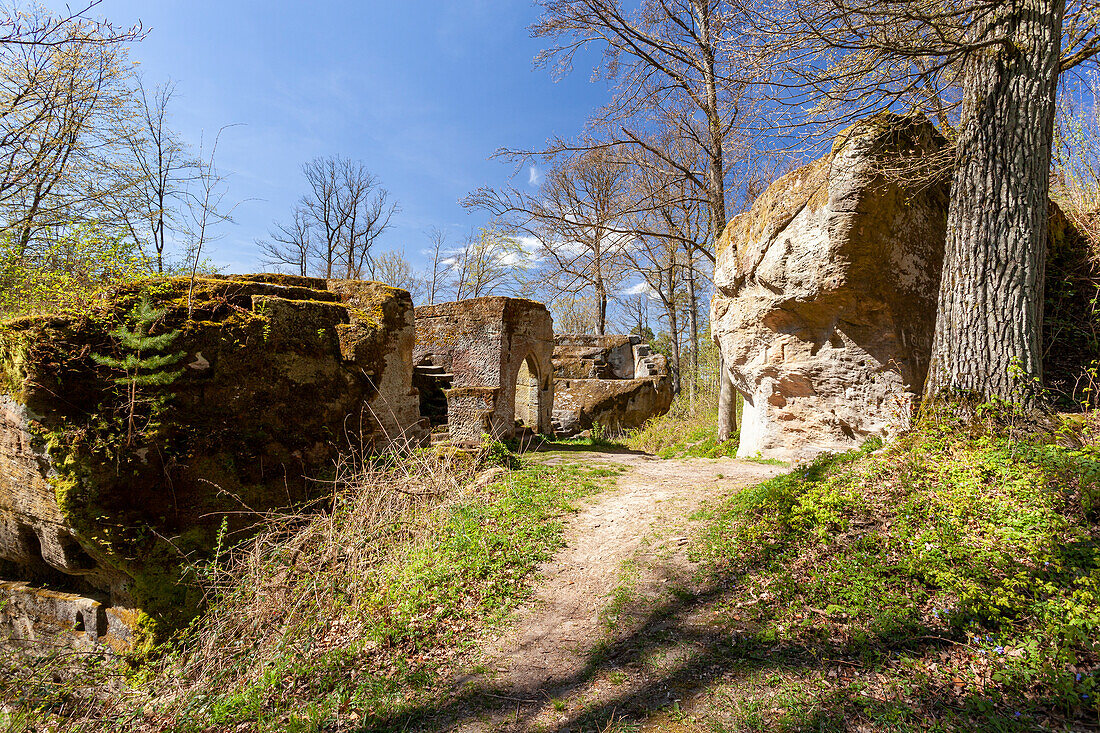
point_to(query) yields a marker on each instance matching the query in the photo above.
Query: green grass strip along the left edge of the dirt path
(477, 565)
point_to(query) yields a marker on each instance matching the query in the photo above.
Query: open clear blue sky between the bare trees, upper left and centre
(423, 92)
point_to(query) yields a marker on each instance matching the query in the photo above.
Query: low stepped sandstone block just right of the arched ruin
(617, 381)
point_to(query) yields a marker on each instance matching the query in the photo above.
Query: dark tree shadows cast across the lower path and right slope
(705, 657)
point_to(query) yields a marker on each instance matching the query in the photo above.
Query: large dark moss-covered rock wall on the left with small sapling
(277, 377)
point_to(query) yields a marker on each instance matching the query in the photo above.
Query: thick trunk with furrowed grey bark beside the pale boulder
(991, 312)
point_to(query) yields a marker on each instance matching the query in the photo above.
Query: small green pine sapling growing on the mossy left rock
(145, 365)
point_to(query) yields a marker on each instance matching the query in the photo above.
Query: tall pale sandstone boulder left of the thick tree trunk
(827, 296)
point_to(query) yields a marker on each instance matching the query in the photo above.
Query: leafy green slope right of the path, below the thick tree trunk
(948, 582)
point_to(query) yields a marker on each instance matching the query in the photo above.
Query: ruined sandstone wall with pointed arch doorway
(483, 368)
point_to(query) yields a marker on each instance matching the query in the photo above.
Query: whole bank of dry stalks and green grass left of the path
(342, 620)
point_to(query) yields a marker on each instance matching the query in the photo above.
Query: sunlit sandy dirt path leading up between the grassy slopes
(567, 651)
